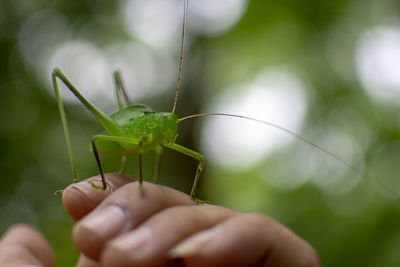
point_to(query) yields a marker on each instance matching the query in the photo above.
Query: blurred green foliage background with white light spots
(329, 70)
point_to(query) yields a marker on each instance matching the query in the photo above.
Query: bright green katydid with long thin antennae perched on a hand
(140, 129)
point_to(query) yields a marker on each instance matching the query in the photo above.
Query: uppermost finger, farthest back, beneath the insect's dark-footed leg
(81, 198)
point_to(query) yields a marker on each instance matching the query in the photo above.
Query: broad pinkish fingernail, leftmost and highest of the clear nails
(108, 221)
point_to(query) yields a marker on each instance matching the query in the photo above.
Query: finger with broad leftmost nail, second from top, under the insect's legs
(126, 208)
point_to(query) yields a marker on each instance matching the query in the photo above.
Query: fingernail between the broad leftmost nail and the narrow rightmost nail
(135, 242)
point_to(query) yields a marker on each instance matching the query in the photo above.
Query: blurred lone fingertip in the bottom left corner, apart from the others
(22, 245)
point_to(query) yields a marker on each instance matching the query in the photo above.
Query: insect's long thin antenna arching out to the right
(297, 136)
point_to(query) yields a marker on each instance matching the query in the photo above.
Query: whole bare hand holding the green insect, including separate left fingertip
(160, 227)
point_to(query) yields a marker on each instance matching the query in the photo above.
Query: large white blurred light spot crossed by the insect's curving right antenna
(276, 96)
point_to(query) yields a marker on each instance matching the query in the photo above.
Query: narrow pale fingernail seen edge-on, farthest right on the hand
(191, 245)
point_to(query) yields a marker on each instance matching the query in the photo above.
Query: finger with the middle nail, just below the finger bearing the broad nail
(149, 243)
